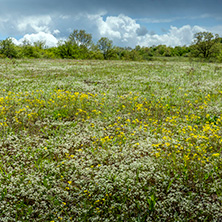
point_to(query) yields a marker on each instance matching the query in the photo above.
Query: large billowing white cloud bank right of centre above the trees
(125, 31)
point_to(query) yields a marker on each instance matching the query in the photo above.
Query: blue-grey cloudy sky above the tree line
(126, 22)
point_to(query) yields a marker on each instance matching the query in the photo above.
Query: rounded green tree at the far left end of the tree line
(7, 48)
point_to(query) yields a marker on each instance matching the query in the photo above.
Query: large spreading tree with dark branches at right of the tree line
(205, 44)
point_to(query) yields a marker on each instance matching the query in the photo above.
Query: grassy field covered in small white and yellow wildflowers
(110, 141)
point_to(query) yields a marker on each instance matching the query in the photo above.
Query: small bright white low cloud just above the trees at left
(48, 38)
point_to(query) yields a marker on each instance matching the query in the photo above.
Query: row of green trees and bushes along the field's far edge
(79, 45)
